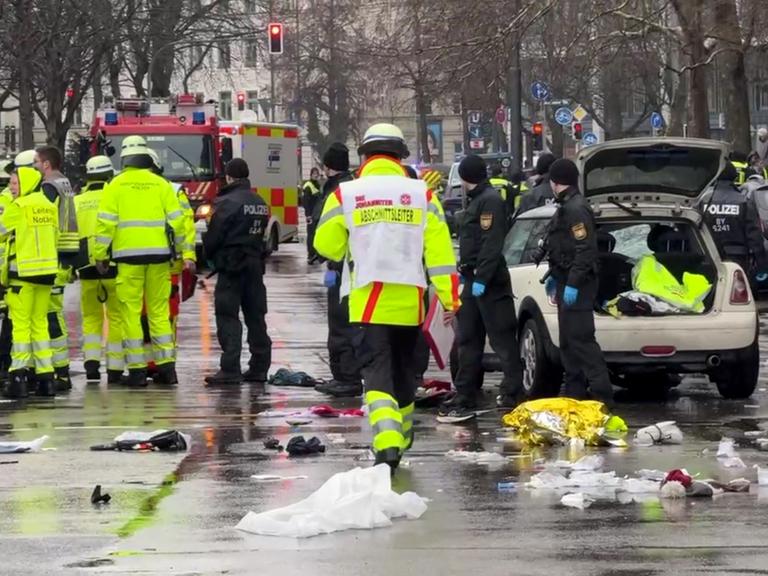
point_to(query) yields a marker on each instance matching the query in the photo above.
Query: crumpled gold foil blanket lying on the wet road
(558, 420)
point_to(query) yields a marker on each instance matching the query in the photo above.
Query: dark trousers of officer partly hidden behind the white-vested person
(345, 366)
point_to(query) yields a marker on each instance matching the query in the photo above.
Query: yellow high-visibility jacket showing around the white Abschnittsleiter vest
(388, 303)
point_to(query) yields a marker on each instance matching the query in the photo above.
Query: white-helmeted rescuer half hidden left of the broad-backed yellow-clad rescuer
(97, 291)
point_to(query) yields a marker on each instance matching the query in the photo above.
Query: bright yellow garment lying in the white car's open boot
(649, 276)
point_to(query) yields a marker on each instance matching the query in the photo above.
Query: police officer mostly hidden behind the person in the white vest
(345, 368)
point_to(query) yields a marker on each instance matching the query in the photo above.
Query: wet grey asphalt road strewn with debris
(175, 513)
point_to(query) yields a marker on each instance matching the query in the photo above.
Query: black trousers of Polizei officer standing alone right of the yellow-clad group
(244, 290)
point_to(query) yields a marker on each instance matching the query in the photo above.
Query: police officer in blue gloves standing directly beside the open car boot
(573, 261)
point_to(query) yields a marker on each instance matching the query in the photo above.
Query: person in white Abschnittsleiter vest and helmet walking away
(391, 227)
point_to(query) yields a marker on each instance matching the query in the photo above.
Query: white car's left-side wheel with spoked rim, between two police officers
(542, 378)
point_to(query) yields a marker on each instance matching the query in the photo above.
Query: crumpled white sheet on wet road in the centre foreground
(358, 499)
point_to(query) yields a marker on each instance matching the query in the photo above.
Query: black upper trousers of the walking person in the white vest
(387, 363)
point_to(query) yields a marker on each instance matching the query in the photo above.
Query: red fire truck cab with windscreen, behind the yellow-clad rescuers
(183, 130)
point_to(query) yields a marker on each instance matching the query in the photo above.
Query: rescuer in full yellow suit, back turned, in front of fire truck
(140, 218)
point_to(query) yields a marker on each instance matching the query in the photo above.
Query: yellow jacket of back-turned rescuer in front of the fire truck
(140, 216)
